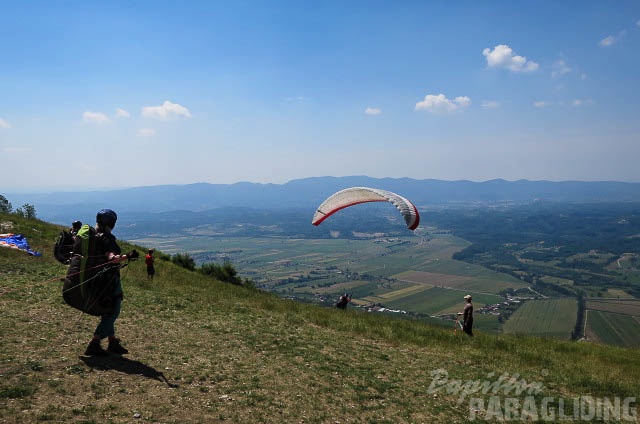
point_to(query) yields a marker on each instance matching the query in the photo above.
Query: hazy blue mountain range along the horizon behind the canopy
(308, 193)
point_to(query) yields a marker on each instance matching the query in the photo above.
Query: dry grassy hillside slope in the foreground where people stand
(204, 351)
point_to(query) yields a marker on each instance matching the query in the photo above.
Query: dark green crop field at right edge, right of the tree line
(612, 328)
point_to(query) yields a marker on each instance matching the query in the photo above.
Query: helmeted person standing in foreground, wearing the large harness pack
(107, 246)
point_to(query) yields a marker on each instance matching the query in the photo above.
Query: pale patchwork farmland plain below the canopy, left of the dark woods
(406, 273)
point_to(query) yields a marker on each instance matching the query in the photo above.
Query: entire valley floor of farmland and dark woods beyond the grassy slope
(526, 267)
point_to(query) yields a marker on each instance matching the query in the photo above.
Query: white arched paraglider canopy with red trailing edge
(356, 195)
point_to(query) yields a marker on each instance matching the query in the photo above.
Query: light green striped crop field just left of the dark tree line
(545, 317)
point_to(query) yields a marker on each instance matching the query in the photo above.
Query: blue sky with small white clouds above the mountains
(143, 93)
